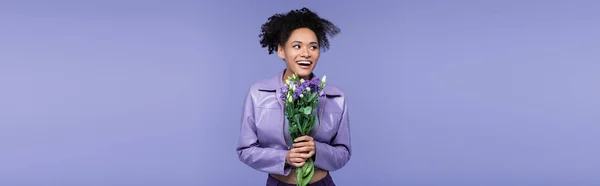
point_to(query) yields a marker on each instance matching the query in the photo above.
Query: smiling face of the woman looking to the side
(300, 52)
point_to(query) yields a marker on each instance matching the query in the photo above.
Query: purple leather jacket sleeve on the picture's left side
(249, 151)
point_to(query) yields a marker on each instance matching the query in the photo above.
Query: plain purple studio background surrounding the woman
(125, 93)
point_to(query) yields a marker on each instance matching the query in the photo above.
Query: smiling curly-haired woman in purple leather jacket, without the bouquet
(264, 143)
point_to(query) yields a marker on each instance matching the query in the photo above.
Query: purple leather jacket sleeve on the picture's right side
(336, 154)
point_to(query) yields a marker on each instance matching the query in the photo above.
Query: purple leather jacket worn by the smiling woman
(264, 139)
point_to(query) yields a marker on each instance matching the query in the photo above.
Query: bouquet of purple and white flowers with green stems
(301, 99)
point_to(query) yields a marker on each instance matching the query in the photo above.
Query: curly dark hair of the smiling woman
(278, 28)
